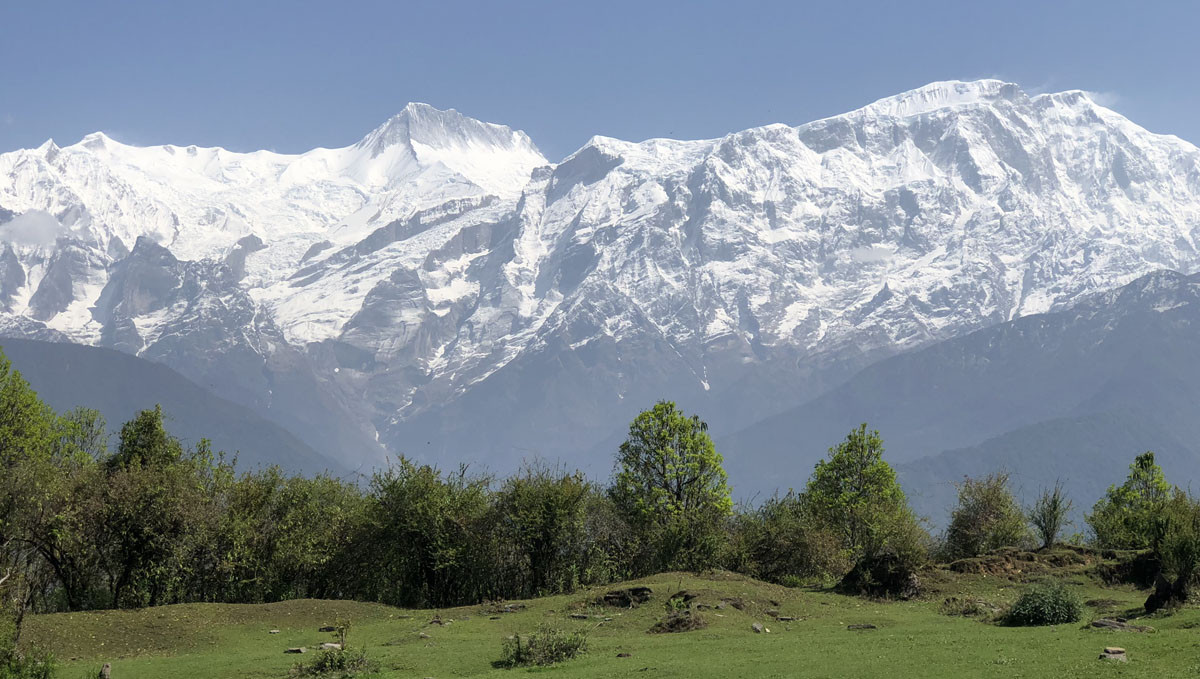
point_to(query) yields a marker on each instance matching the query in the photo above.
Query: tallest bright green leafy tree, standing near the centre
(673, 489)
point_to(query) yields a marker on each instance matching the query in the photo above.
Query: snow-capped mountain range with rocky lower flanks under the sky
(445, 290)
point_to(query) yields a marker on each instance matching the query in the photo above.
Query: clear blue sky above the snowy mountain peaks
(296, 75)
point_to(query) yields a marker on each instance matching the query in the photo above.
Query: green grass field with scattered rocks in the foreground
(913, 639)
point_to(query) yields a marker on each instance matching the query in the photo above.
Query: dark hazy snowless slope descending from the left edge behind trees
(68, 376)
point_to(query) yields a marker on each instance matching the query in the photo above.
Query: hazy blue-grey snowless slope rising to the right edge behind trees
(1070, 395)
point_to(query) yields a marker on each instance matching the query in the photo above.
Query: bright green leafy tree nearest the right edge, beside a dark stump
(1129, 515)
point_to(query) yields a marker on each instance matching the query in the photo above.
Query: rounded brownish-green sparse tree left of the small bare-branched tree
(986, 519)
